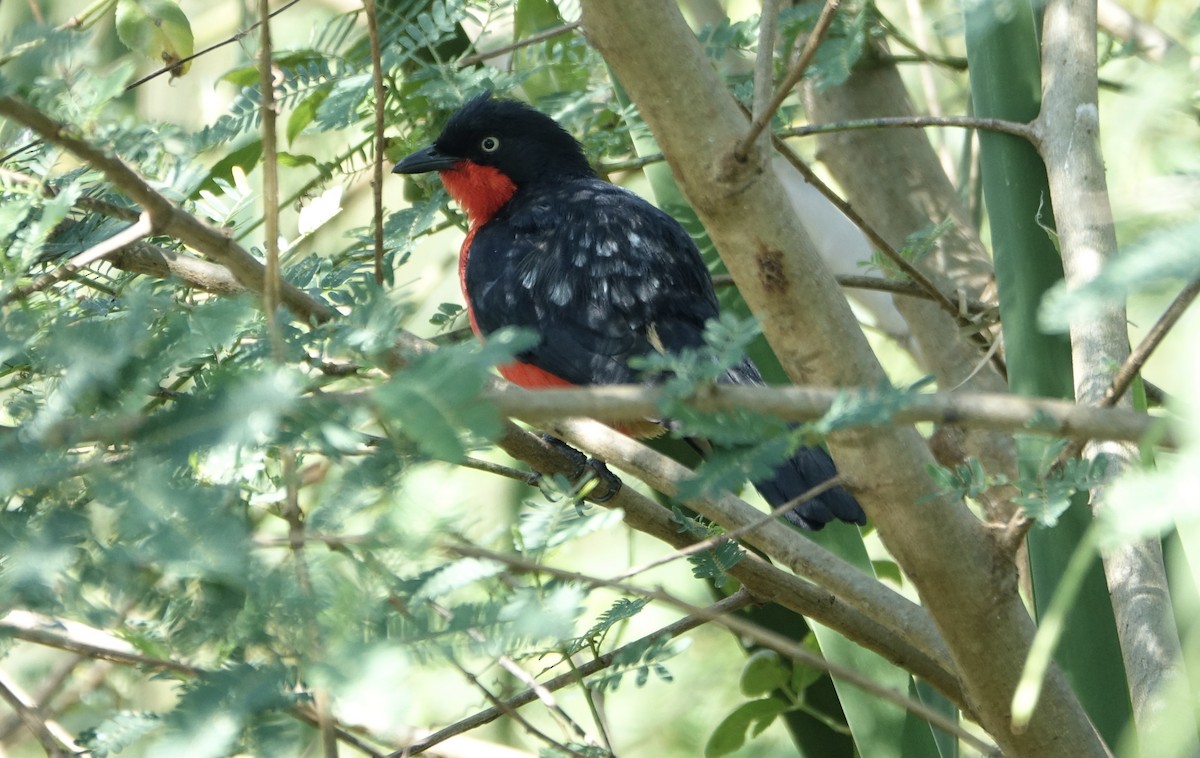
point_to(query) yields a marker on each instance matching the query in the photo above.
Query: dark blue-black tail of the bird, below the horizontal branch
(805, 471)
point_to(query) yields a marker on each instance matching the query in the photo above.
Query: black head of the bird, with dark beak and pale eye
(521, 143)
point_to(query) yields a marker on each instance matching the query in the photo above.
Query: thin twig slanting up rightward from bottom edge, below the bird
(729, 605)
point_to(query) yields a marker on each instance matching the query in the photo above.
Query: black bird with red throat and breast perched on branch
(596, 272)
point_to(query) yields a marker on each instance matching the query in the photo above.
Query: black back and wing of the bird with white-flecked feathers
(599, 274)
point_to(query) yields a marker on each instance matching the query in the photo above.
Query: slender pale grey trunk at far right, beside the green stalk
(1070, 146)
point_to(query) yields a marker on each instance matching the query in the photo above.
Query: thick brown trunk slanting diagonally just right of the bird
(964, 577)
